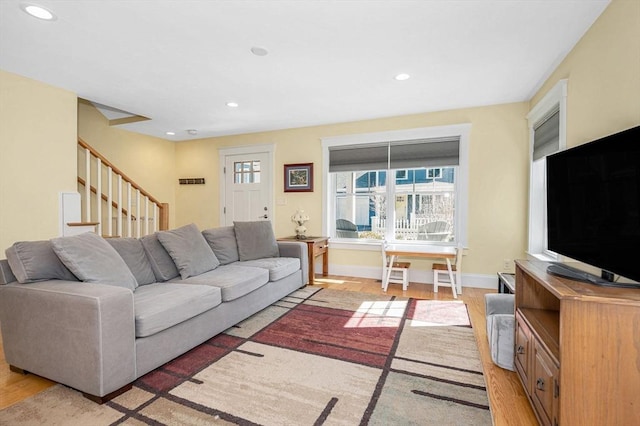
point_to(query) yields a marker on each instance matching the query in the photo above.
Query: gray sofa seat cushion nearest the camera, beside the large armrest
(163, 305)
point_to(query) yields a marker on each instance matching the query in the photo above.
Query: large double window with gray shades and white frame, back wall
(425, 200)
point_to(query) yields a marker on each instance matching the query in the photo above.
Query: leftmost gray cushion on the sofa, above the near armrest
(32, 261)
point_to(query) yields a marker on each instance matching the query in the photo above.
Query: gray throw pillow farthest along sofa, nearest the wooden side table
(256, 240)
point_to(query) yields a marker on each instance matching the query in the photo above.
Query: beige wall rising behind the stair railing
(148, 161)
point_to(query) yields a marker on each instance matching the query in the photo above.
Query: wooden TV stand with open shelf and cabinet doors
(577, 348)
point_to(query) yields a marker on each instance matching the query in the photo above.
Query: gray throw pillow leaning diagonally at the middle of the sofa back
(189, 250)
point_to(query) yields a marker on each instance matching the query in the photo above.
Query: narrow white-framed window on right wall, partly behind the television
(547, 134)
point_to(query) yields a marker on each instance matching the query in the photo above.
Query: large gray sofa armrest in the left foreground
(78, 334)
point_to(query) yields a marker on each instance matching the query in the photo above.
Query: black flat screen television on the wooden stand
(593, 207)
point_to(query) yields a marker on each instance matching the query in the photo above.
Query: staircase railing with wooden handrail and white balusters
(112, 203)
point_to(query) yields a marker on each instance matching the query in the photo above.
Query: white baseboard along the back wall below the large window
(415, 275)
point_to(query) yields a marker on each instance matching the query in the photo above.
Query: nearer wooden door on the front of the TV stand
(545, 385)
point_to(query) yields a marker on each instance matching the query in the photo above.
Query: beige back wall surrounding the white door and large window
(497, 182)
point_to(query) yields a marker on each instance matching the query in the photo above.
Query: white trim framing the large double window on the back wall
(462, 131)
